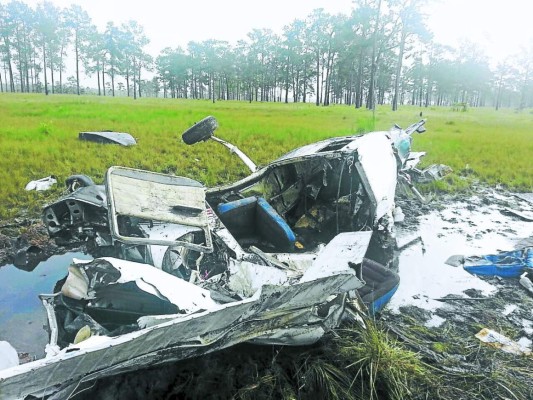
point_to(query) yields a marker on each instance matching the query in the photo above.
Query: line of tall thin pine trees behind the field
(381, 53)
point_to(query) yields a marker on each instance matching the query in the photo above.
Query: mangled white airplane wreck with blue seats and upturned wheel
(278, 257)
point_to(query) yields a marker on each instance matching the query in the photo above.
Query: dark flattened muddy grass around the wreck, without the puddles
(447, 361)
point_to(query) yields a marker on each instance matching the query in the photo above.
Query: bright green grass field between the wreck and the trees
(39, 137)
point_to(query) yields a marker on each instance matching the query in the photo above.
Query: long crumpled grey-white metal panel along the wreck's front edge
(273, 307)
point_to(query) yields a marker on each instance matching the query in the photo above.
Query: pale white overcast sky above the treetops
(499, 27)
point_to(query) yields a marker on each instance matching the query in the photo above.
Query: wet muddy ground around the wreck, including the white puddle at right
(436, 313)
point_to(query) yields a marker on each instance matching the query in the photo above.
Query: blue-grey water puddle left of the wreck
(22, 316)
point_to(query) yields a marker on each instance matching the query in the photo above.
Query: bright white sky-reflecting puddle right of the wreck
(466, 227)
